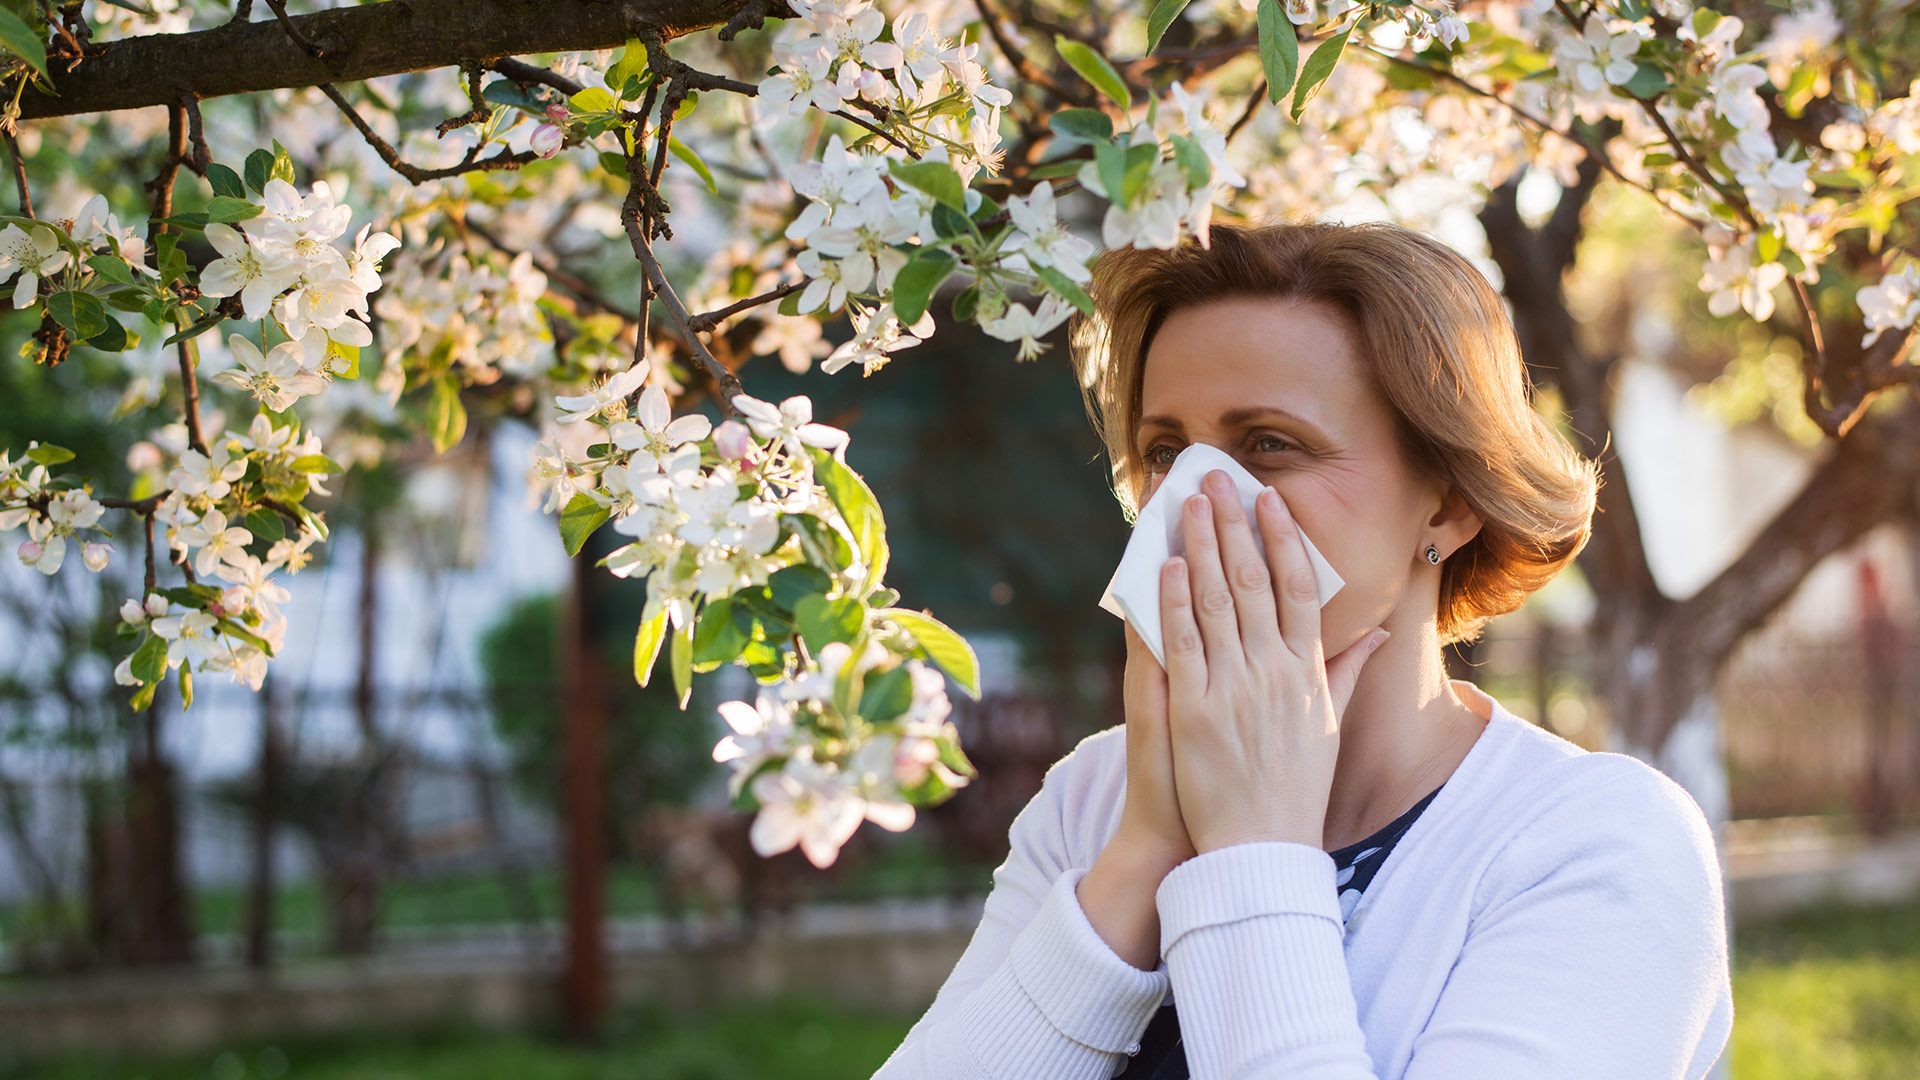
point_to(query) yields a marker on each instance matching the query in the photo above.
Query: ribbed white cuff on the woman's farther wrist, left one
(1078, 981)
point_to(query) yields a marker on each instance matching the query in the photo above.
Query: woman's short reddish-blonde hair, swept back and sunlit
(1439, 349)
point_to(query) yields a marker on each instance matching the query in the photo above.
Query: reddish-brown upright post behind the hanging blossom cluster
(585, 700)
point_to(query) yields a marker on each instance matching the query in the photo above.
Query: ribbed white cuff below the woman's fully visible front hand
(1241, 881)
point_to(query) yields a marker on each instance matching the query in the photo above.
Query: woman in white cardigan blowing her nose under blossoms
(1335, 860)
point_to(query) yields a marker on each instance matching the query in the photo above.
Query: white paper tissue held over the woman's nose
(1134, 595)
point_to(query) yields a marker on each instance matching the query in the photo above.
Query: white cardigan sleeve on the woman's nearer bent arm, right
(1596, 952)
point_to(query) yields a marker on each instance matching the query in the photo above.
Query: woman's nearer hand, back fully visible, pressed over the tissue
(1253, 704)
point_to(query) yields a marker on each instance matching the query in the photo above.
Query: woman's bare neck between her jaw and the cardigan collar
(1403, 735)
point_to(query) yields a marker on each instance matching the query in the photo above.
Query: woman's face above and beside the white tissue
(1282, 387)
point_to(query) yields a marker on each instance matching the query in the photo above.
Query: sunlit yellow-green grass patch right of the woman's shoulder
(1829, 994)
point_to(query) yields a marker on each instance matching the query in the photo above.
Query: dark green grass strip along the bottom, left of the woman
(784, 1041)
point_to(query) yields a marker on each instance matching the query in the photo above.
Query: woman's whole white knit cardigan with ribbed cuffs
(1552, 916)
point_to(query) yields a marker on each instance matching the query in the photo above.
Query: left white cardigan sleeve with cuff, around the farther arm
(1038, 993)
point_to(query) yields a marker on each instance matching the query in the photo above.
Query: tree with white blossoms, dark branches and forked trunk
(898, 166)
